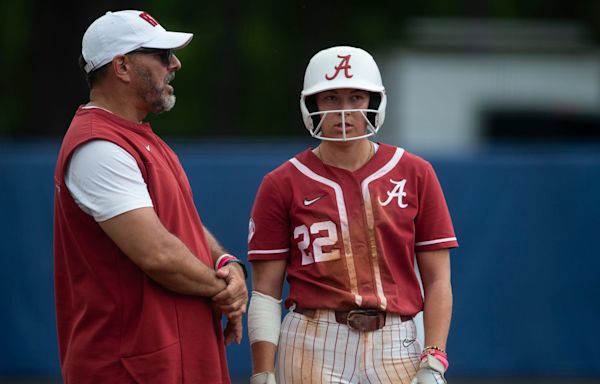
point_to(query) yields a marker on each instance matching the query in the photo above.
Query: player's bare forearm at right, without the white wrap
(434, 267)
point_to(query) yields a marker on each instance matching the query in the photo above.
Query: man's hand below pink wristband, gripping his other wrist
(233, 299)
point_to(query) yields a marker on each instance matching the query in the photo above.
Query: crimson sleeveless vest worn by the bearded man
(115, 324)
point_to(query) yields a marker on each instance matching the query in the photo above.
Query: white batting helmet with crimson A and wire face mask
(342, 68)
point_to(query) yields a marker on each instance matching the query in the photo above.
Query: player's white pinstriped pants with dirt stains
(320, 350)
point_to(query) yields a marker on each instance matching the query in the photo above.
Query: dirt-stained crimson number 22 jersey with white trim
(350, 237)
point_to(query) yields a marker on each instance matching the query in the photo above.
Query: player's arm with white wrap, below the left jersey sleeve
(263, 318)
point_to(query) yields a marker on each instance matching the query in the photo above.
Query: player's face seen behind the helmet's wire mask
(342, 99)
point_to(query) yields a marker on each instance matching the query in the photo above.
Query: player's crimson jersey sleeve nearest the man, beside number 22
(268, 237)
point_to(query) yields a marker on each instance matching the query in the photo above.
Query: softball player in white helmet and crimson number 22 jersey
(344, 221)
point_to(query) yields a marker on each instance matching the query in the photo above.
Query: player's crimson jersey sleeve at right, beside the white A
(433, 225)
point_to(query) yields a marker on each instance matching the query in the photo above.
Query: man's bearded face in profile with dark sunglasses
(153, 73)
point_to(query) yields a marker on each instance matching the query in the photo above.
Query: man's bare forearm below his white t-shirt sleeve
(161, 255)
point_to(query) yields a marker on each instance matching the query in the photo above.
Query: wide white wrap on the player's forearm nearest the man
(264, 318)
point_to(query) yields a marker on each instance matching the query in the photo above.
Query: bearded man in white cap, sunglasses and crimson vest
(137, 297)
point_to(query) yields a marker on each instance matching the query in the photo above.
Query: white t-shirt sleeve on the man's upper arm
(105, 180)
